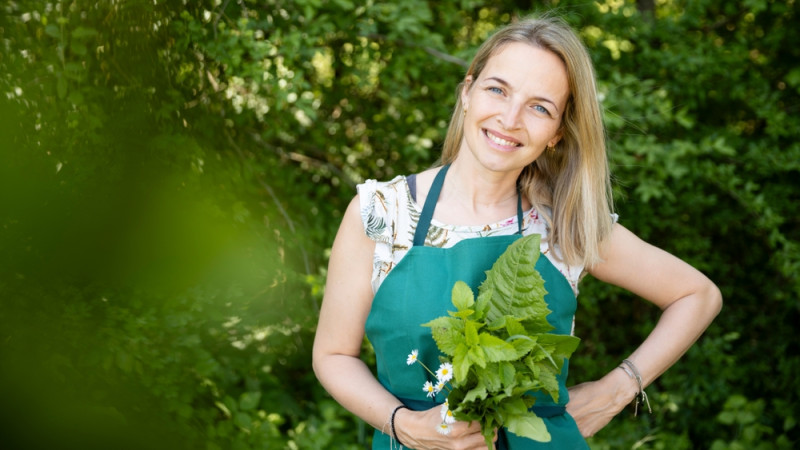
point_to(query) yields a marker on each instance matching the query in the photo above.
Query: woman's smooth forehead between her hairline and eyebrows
(529, 69)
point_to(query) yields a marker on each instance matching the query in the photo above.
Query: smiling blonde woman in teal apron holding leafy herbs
(524, 154)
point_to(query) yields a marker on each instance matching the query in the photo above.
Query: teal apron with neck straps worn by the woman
(418, 289)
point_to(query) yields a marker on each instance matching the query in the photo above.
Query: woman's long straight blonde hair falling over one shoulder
(569, 185)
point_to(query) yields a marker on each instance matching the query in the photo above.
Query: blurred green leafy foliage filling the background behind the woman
(173, 173)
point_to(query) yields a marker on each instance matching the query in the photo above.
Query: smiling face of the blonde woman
(514, 108)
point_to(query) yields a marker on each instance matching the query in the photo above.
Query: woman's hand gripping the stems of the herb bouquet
(419, 430)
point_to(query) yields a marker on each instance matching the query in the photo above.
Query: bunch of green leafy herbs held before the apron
(500, 348)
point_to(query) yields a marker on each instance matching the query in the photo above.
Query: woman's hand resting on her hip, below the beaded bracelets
(594, 404)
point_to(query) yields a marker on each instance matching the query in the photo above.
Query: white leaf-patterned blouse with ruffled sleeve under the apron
(390, 217)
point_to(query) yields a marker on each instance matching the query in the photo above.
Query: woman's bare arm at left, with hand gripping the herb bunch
(337, 345)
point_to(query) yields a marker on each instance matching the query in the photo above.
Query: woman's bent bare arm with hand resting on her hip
(689, 302)
